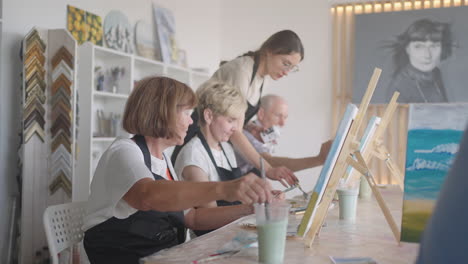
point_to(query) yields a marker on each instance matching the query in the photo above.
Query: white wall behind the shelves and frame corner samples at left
(198, 32)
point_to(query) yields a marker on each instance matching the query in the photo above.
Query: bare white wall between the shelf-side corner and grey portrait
(246, 24)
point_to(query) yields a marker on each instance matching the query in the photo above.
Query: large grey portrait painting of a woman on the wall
(423, 55)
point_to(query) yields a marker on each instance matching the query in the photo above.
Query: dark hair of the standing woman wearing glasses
(282, 42)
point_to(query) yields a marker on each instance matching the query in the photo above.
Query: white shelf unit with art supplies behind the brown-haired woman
(105, 79)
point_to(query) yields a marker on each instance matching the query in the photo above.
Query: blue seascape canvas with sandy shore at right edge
(434, 134)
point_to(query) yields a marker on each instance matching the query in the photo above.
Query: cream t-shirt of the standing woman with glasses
(238, 73)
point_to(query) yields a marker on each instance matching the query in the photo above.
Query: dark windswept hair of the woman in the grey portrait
(421, 30)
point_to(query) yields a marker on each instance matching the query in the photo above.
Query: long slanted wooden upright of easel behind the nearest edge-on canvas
(350, 145)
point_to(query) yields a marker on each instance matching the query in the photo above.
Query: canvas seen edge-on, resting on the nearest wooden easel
(328, 166)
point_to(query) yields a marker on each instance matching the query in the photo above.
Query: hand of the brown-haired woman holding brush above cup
(247, 189)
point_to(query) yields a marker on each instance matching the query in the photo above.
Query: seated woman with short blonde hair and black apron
(208, 156)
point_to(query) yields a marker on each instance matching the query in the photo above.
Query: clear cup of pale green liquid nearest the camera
(272, 224)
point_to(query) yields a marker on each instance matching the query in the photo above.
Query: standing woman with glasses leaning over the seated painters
(278, 55)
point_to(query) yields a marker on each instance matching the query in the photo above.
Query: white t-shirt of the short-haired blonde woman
(194, 154)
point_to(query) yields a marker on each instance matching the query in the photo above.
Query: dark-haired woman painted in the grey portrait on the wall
(417, 54)
